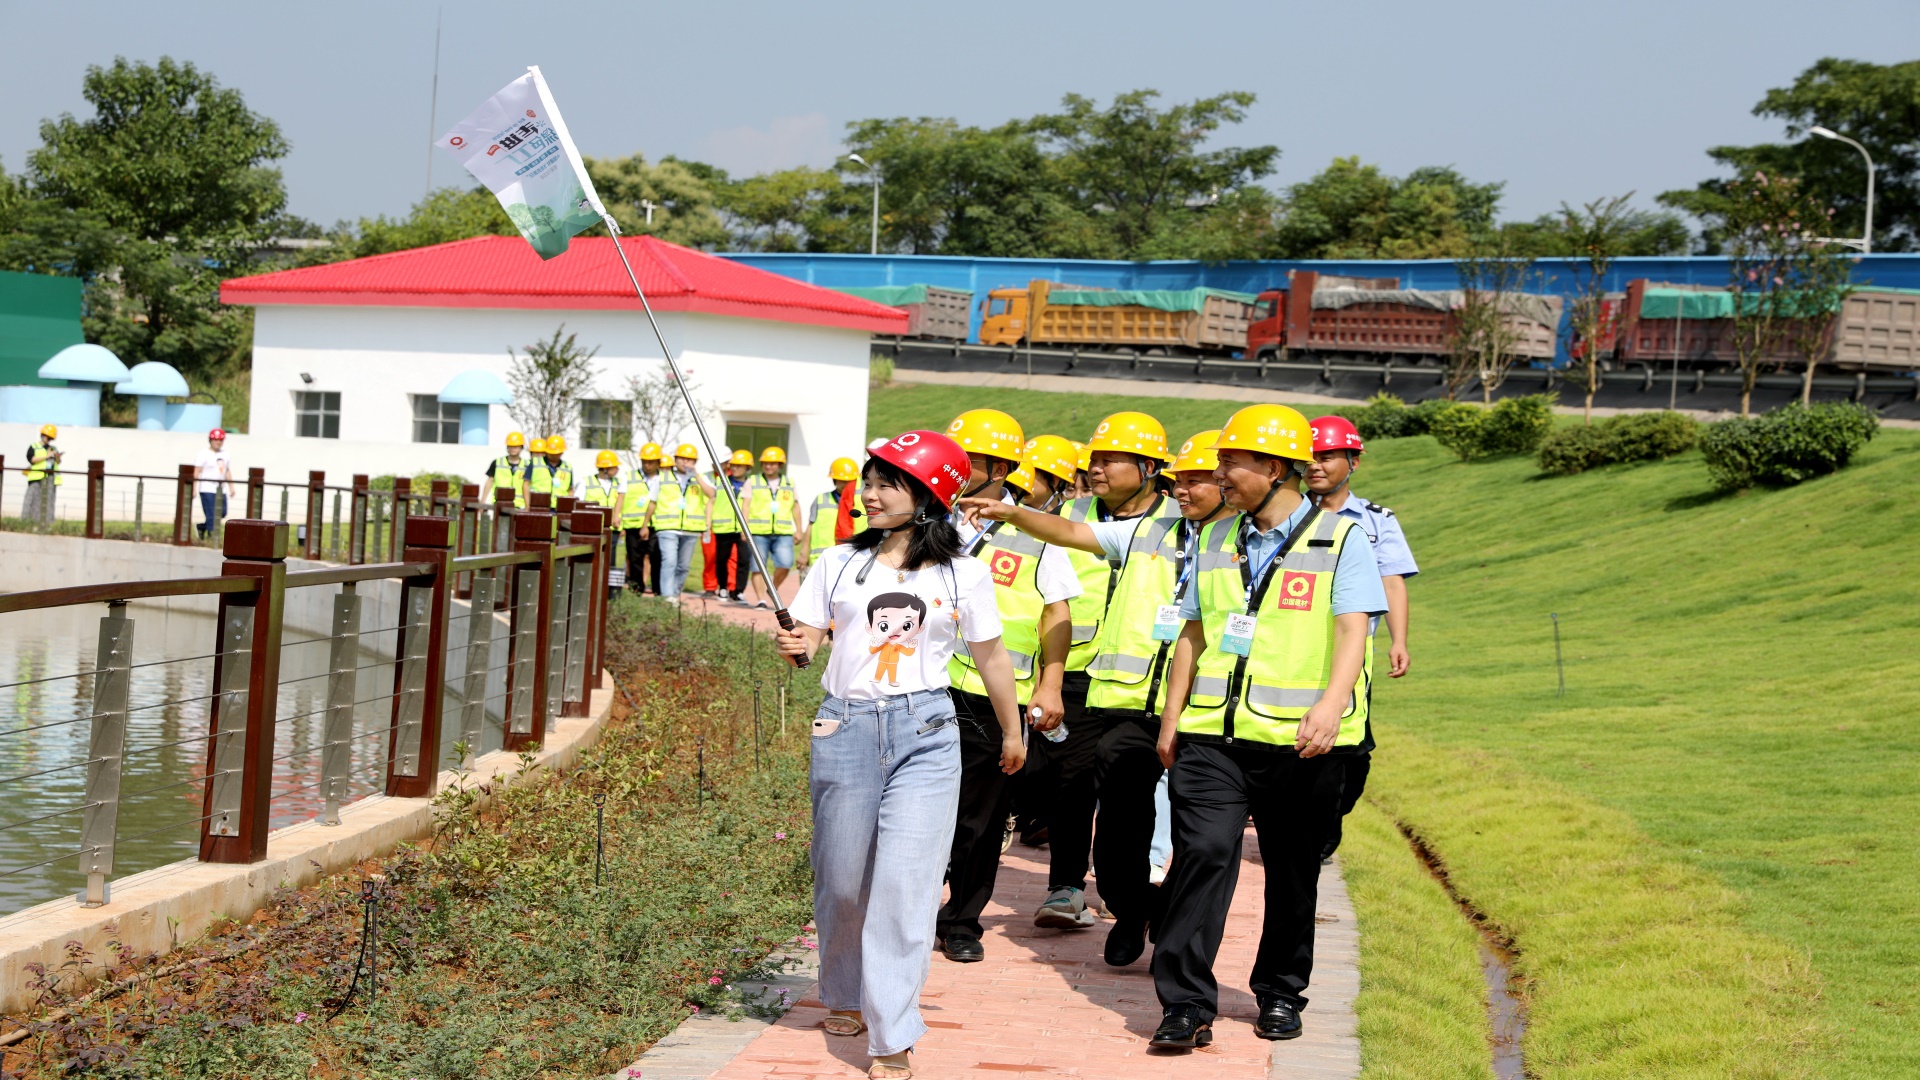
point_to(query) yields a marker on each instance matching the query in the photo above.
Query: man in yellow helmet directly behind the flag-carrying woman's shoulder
(1032, 587)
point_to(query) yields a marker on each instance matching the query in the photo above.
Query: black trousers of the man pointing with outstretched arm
(1126, 773)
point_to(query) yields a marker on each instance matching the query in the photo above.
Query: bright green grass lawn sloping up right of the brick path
(1706, 852)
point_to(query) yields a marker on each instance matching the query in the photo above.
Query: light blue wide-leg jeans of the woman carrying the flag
(886, 781)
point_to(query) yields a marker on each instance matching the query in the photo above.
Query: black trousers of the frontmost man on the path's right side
(1293, 802)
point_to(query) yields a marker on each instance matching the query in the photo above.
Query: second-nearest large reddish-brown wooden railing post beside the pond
(421, 662)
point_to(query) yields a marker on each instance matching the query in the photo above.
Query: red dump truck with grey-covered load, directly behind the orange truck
(1374, 316)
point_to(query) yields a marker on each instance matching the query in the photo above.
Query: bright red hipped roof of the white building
(504, 272)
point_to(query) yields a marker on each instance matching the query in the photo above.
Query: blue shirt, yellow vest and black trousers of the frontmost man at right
(1237, 747)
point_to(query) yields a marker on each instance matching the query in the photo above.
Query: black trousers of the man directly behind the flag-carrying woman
(986, 797)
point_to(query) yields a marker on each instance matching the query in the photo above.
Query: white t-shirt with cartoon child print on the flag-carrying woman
(896, 631)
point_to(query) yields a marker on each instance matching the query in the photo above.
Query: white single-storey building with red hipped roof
(360, 353)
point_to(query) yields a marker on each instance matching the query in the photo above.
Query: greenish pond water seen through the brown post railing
(47, 662)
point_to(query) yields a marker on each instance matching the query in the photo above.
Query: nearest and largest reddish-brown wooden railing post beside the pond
(247, 679)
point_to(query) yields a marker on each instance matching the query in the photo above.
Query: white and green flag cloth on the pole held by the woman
(517, 147)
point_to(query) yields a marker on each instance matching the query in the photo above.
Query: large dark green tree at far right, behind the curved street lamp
(1871, 103)
